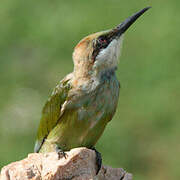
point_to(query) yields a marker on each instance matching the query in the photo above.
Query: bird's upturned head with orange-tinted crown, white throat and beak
(100, 51)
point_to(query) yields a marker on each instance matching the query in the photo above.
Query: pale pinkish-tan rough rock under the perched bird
(79, 165)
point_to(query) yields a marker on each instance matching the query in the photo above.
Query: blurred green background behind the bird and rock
(36, 44)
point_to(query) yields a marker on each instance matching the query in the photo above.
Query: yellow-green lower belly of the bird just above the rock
(79, 132)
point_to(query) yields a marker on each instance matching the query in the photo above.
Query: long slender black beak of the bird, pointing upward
(121, 28)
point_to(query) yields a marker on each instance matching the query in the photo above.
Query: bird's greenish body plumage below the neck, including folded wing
(73, 118)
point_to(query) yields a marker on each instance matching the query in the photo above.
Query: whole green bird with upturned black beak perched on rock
(85, 101)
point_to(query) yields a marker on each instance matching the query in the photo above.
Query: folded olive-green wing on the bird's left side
(52, 112)
